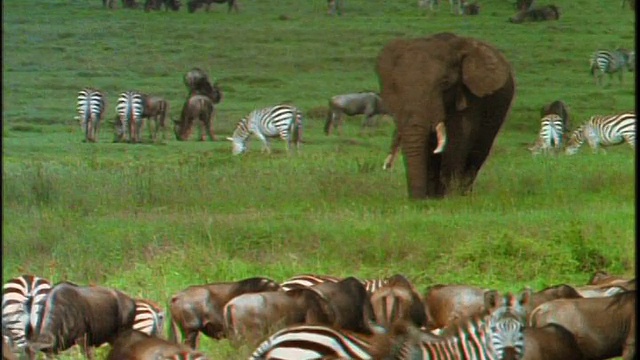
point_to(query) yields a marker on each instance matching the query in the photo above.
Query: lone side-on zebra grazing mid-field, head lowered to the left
(284, 121)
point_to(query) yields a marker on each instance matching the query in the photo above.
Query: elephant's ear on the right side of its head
(483, 71)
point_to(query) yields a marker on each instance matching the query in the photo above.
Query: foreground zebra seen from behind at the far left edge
(23, 300)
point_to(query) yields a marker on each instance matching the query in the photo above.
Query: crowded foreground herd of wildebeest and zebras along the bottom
(321, 316)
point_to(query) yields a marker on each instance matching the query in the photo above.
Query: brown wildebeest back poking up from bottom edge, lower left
(134, 345)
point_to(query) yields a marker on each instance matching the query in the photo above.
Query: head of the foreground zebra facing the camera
(507, 317)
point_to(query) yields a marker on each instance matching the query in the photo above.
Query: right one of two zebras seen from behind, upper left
(130, 109)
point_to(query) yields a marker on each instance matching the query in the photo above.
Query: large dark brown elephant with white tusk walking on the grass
(466, 83)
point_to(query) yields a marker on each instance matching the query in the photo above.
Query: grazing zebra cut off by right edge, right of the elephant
(604, 130)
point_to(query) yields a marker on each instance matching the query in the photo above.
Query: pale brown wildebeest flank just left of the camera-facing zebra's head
(446, 303)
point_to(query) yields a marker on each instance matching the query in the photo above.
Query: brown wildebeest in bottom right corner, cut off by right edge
(603, 327)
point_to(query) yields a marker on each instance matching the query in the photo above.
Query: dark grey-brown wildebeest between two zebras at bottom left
(86, 316)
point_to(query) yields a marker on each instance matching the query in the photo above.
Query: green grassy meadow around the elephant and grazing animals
(152, 219)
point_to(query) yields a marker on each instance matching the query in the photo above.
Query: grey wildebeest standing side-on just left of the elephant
(365, 103)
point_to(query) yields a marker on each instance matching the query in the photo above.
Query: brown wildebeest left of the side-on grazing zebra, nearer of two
(198, 109)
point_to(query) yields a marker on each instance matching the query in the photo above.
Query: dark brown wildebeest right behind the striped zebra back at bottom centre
(350, 303)
